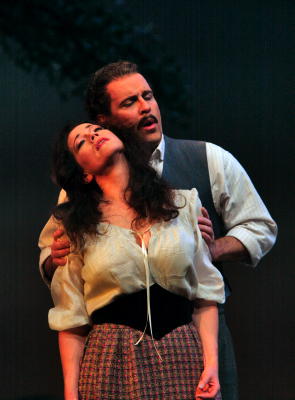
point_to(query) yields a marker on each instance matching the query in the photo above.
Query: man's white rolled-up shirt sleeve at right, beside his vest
(235, 198)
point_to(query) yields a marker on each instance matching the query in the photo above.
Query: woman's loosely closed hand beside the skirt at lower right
(208, 386)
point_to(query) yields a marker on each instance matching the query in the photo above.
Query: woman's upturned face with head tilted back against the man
(92, 146)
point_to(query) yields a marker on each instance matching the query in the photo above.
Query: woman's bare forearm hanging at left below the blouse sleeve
(71, 348)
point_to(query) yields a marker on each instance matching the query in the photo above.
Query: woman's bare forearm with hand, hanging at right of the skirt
(205, 318)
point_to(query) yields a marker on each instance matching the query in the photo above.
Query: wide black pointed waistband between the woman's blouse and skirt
(168, 311)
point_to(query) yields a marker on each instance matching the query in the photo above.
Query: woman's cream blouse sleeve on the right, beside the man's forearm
(210, 282)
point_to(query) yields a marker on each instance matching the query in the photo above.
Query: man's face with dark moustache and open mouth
(133, 106)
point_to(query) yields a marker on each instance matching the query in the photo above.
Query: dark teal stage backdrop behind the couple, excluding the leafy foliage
(236, 63)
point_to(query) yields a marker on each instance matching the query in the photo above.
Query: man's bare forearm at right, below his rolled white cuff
(228, 248)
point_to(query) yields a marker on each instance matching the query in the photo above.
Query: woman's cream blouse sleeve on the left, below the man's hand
(67, 289)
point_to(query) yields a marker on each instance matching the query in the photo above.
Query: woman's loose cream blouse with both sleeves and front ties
(113, 264)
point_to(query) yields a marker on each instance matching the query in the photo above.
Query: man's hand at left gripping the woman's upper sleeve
(60, 249)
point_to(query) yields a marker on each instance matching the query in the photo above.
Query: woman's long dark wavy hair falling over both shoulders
(80, 215)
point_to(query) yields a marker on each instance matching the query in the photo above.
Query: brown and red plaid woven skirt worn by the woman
(113, 367)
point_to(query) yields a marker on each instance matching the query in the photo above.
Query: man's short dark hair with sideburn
(97, 99)
